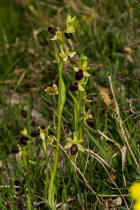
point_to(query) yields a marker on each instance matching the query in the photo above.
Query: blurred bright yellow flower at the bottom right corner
(135, 192)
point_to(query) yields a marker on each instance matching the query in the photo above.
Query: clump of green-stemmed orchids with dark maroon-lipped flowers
(77, 92)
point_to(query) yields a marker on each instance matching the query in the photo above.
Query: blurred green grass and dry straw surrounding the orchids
(108, 33)
